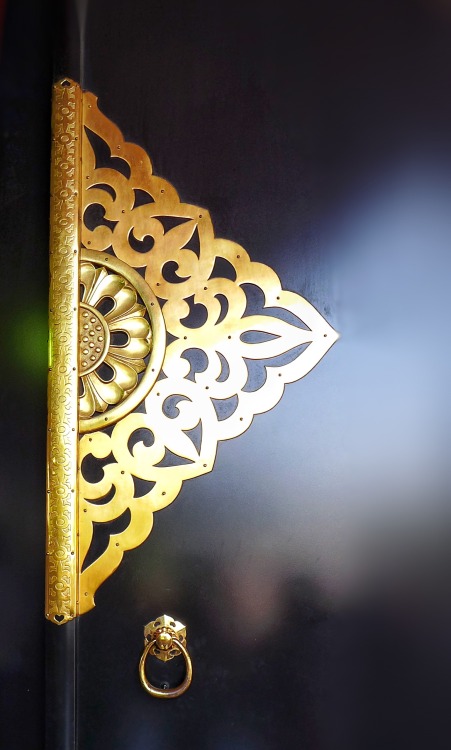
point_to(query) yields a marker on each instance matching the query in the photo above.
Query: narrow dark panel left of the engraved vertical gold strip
(25, 81)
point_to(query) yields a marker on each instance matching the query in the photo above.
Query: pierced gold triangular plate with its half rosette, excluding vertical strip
(205, 332)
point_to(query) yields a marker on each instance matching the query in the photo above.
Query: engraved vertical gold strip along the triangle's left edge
(62, 547)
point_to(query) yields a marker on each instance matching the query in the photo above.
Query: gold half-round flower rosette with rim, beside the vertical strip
(120, 284)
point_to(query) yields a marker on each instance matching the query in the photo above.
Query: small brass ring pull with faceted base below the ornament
(165, 638)
